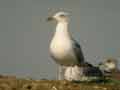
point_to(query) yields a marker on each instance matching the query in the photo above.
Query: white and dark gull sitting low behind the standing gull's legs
(84, 72)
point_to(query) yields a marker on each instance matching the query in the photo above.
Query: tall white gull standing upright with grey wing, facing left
(64, 49)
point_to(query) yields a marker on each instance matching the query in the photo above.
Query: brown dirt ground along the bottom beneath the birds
(12, 83)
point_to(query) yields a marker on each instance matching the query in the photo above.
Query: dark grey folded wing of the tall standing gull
(78, 51)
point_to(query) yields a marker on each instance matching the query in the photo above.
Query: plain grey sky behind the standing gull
(25, 35)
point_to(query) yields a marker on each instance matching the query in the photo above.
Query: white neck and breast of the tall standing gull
(61, 46)
